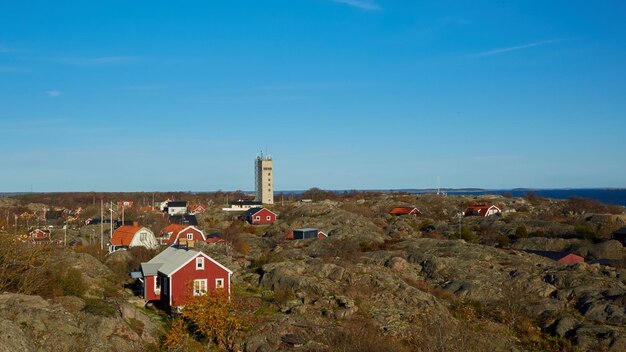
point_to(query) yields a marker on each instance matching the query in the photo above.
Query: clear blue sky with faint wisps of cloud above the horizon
(344, 94)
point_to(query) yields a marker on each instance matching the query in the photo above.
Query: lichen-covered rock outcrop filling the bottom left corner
(49, 325)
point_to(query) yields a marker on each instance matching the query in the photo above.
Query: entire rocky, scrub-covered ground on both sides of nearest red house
(376, 283)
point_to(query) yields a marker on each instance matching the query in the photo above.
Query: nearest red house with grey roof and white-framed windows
(178, 273)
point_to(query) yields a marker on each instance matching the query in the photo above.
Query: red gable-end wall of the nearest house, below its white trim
(182, 280)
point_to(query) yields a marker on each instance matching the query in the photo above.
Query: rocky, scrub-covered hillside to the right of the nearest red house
(377, 275)
